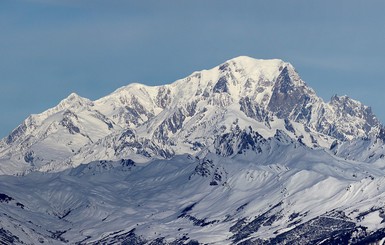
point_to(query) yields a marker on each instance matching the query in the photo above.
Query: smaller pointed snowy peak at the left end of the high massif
(53, 135)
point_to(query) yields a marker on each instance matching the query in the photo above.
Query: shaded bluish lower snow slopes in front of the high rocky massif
(285, 191)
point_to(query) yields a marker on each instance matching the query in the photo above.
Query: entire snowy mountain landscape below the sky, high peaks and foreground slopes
(243, 153)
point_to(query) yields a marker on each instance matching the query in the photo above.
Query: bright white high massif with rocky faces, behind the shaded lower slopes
(184, 117)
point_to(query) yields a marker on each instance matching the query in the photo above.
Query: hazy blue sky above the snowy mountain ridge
(50, 48)
